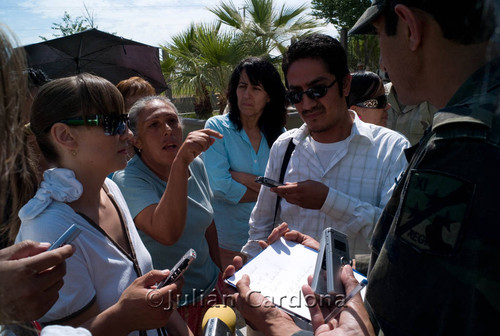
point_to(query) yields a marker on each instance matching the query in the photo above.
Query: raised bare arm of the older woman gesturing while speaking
(165, 221)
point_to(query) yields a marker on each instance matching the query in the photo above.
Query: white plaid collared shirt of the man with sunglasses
(360, 177)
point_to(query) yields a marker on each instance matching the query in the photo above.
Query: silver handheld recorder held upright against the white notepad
(333, 254)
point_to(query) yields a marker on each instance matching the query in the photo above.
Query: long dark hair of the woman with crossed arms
(261, 71)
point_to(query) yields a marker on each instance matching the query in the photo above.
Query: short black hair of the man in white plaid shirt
(322, 47)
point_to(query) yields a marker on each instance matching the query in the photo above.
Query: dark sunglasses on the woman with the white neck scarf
(113, 124)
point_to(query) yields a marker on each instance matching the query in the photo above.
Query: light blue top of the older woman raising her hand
(141, 188)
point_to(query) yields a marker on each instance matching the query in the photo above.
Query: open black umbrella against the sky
(99, 53)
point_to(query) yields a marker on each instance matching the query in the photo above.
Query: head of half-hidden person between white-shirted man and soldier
(367, 97)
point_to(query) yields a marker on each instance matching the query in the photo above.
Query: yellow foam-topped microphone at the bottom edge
(219, 320)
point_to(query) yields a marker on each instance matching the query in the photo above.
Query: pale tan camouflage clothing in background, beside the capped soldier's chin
(409, 120)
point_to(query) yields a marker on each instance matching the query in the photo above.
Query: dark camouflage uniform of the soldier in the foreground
(435, 267)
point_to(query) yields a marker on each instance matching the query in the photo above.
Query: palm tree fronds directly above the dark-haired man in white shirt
(267, 27)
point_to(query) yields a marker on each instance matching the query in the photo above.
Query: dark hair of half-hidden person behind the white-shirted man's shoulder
(364, 86)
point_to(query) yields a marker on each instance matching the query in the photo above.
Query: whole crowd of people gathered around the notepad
(408, 177)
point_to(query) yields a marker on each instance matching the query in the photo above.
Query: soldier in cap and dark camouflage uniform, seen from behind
(436, 249)
